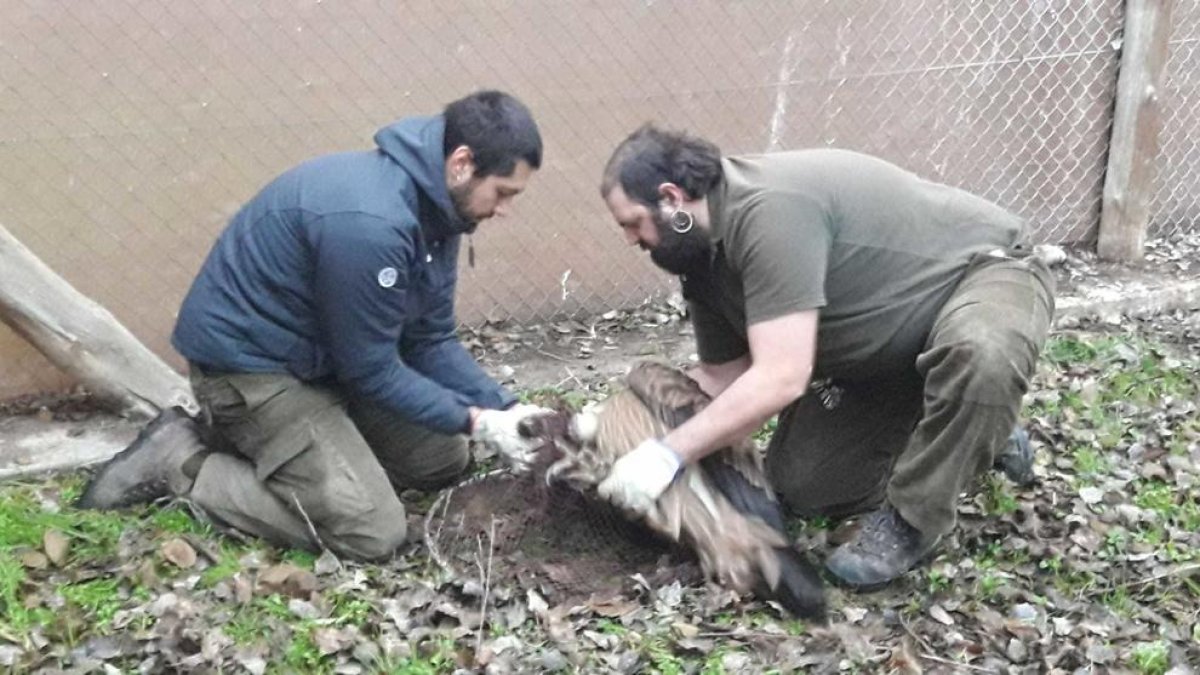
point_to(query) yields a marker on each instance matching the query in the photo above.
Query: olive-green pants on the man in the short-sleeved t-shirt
(922, 438)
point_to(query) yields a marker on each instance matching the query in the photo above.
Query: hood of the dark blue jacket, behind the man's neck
(416, 145)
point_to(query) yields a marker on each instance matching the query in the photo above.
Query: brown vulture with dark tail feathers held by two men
(722, 507)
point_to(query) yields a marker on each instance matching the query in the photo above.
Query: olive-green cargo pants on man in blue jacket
(304, 463)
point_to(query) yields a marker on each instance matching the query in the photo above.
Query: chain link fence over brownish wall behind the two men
(131, 130)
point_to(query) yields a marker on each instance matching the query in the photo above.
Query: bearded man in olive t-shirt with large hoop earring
(891, 322)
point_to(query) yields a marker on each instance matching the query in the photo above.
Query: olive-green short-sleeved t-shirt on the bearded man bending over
(875, 248)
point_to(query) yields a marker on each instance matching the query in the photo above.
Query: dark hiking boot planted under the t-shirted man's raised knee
(884, 548)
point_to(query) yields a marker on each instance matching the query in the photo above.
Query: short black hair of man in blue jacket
(497, 128)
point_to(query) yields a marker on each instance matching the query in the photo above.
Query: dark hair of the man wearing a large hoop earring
(651, 157)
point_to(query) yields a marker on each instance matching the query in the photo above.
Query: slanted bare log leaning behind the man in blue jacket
(83, 338)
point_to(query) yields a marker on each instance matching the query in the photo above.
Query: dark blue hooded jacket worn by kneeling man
(344, 270)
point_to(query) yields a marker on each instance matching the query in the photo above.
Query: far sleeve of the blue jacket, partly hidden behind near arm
(431, 347)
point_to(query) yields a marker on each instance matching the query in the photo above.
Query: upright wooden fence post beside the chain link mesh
(1133, 150)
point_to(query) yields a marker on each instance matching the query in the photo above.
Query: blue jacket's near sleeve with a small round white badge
(363, 276)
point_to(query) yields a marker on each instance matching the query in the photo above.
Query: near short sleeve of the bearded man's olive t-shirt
(781, 249)
